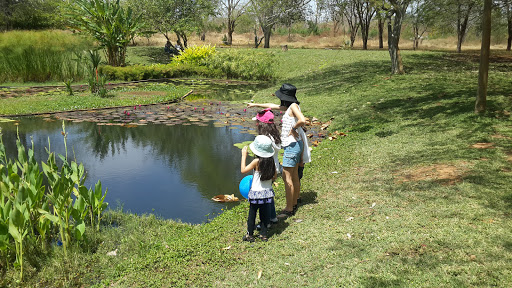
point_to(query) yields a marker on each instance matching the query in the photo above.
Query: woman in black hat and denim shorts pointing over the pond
(293, 119)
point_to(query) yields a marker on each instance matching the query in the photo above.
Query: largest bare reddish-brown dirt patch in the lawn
(443, 173)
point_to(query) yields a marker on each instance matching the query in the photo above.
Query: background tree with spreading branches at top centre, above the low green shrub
(269, 12)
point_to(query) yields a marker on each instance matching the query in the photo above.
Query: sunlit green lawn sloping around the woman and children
(404, 200)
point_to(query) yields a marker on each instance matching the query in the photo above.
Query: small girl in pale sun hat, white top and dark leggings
(261, 192)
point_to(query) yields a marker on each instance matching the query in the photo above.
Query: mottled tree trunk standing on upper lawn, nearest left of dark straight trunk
(394, 31)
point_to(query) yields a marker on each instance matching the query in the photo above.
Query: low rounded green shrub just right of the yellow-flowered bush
(247, 65)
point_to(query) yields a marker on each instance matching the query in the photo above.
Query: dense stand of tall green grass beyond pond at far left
(42, 56)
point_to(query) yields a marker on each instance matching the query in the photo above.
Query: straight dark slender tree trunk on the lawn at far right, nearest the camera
(483, 73)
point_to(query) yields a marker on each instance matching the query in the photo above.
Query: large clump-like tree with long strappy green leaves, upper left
(109, 23)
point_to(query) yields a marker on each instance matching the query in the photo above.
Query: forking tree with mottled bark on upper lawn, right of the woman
(396, 14)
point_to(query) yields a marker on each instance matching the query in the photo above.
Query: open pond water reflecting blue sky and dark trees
(171, 171)
